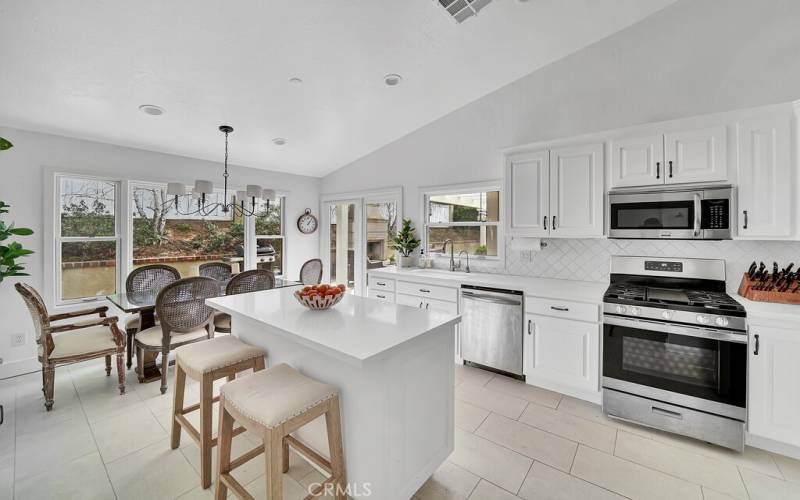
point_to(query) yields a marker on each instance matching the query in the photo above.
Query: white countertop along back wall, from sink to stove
(581, 291)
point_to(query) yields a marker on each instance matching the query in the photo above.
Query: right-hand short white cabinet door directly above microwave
(696, 155)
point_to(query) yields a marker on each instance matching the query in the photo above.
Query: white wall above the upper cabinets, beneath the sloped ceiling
(695, 57)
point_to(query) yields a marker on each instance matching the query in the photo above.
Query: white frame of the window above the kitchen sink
(462, 188)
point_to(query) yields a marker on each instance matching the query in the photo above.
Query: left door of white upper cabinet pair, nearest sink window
(528, 187)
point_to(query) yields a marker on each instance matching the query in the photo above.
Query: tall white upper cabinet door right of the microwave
(765, 178)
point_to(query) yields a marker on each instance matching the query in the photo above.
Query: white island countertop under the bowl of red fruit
(355, 330)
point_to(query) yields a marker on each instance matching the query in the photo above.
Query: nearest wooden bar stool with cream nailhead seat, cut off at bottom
(274, 403)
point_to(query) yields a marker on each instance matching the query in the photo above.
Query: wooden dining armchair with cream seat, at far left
(68, 343)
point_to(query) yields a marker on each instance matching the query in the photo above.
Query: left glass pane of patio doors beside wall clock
(342, 233)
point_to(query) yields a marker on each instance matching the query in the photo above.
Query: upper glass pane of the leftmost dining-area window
(87, 207)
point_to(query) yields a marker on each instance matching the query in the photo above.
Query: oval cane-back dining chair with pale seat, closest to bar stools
(184, 318)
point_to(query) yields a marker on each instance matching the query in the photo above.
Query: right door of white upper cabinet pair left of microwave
(576, 191)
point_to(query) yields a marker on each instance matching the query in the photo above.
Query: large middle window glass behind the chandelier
(162, 235)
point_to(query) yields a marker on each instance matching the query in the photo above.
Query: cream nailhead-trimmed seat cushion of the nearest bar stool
(274, 396)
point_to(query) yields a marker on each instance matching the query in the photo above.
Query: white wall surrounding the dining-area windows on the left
(22, 186)
